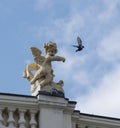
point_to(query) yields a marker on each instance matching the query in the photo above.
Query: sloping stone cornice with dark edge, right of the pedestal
(97, 120)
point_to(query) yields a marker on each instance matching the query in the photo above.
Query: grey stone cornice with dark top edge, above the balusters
(18, 101)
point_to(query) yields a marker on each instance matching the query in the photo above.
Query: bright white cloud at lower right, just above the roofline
(103, 100)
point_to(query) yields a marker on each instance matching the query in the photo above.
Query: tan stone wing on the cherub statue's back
(37, 55)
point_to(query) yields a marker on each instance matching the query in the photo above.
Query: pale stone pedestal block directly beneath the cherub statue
(55, 112)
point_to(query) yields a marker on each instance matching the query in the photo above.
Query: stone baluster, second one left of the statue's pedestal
(22, 122)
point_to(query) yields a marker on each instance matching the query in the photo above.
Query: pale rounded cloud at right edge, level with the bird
(109, 48)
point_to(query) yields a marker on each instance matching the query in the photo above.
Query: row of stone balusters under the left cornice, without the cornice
(17, 118)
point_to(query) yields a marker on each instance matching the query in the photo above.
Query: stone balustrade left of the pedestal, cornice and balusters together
(18, 111)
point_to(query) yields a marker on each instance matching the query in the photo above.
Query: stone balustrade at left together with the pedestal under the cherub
(43, 111)
